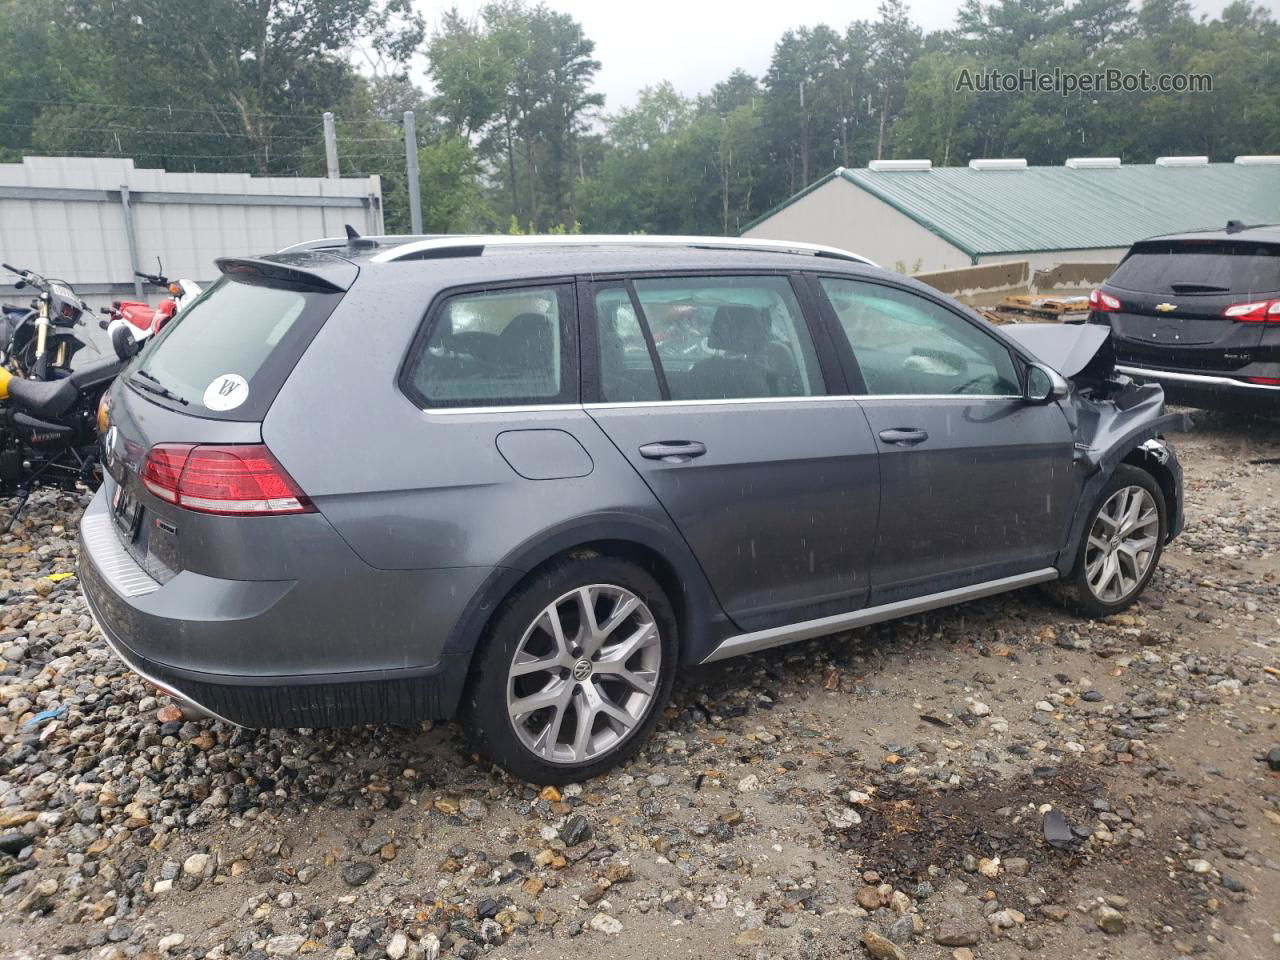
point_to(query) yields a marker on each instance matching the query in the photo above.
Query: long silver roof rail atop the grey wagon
(461, 245)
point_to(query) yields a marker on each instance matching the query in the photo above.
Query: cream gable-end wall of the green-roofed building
(843, 216)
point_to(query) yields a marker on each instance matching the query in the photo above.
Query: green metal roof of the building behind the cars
(1058, 208)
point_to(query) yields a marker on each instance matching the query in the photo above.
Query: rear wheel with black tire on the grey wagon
(574, 671)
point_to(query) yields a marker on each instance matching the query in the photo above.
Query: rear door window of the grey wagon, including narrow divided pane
(715, 339)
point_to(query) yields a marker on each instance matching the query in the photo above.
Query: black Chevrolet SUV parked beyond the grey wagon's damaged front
(1201, 314)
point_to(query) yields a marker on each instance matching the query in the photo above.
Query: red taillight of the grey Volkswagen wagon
(232, 479)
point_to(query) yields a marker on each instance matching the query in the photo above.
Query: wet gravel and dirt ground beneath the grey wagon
(886, 794)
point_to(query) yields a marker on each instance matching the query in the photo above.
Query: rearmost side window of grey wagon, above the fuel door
(509, 348)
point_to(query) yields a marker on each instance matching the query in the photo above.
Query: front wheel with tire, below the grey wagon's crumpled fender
(1121, 550)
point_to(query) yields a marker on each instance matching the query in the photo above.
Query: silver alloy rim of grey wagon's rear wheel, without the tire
(584, 675)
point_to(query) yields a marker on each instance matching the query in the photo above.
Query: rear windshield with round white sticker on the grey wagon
(228, 354)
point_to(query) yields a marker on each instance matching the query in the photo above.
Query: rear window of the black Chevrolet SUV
(1196, 267)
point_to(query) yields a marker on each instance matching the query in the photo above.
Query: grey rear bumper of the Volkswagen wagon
(172, 634)
